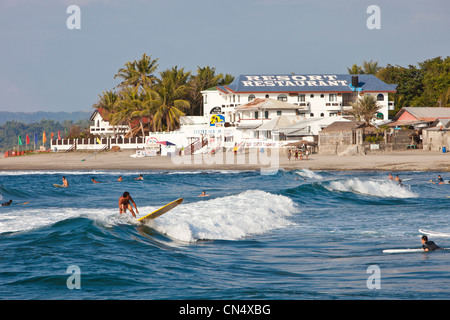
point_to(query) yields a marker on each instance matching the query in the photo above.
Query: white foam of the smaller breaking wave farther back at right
(388, 189)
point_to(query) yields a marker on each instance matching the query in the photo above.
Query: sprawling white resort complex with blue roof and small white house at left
(261, 111)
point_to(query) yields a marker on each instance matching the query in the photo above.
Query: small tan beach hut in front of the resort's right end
(342, 137)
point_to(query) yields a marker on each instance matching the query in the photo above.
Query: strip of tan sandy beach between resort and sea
(410, 160)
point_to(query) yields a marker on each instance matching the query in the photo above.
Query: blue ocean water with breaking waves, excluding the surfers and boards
(291, 235)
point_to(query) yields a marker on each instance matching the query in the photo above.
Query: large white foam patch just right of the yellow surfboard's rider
(228, 218)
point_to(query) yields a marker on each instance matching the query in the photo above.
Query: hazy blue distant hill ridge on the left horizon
(32, 117)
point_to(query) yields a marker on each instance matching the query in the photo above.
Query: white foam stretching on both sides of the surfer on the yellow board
(230, 217)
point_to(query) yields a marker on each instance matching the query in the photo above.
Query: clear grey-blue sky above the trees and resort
(44, 66)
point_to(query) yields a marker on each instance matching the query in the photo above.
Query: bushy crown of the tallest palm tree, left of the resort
(138, 73)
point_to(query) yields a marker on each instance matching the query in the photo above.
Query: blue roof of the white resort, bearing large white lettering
(291, 83)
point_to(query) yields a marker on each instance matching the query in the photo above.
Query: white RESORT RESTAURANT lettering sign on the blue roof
(286, 81)
